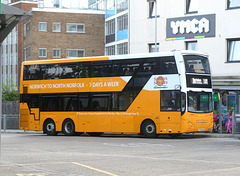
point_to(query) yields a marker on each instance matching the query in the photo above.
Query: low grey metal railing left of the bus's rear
(10, 121)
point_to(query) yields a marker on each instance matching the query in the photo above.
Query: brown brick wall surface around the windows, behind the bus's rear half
(92, 41)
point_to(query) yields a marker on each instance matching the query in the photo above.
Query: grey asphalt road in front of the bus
(24, 154)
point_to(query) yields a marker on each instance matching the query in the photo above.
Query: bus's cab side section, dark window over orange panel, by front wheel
(170, 107)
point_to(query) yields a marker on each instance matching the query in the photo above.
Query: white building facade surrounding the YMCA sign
(207, 26)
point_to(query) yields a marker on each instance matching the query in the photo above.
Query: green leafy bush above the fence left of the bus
(8, 92)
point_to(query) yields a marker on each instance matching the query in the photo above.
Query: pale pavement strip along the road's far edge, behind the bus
(214, 135)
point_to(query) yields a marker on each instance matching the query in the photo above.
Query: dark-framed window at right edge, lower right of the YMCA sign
(234, 50)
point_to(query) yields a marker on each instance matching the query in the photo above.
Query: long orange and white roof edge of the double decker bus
(115, 57)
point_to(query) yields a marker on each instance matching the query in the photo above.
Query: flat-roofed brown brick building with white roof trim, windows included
(53, 33)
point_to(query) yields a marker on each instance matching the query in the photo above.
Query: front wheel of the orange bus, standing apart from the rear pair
(148, 129)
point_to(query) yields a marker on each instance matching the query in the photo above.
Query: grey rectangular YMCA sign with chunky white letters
(191, 27)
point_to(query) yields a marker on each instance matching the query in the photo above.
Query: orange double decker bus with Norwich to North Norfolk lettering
(149, 94)
